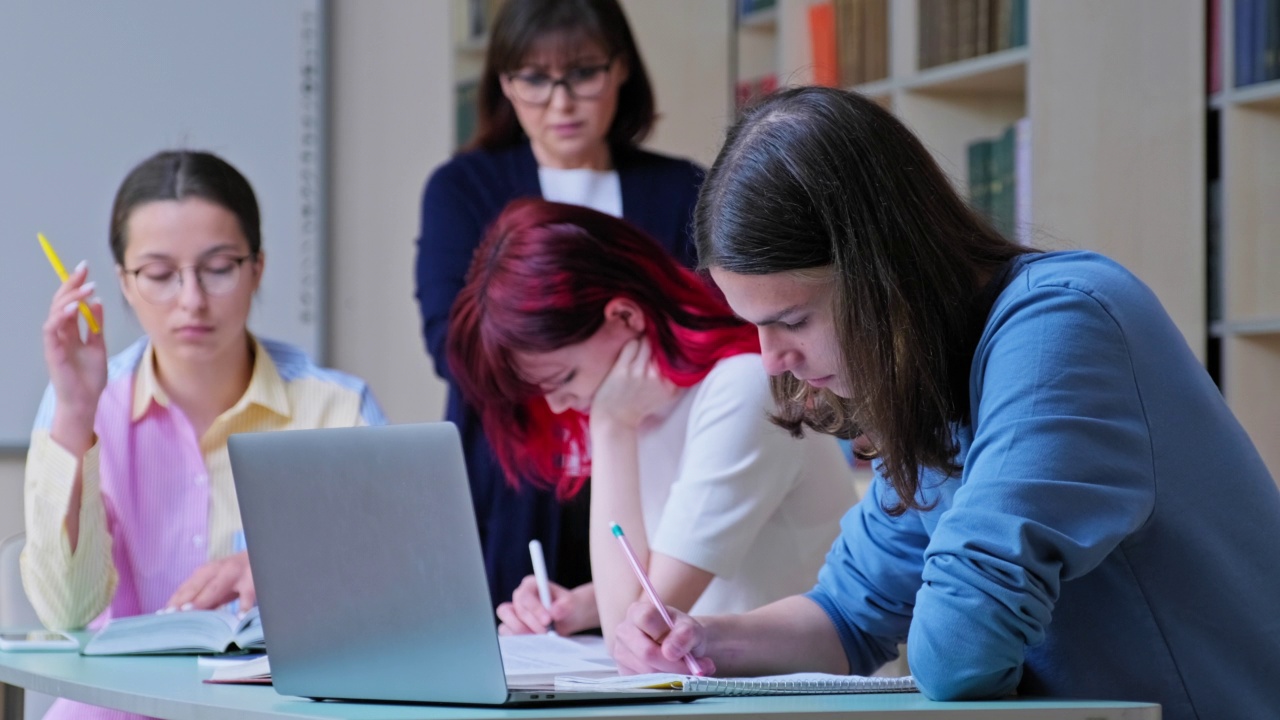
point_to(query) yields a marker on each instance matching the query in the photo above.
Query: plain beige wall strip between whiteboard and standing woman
(391, 122)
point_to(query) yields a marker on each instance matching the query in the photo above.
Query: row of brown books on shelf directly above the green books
(958, 30)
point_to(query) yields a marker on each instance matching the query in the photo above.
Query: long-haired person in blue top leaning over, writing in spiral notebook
(1064, 504)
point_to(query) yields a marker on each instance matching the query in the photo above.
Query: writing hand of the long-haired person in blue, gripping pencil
(644, 644)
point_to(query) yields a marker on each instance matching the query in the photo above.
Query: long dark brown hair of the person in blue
(820, 179)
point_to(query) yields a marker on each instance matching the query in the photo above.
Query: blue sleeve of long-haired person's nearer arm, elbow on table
(1059, 473)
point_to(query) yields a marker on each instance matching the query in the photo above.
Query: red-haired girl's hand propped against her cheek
(634, 389)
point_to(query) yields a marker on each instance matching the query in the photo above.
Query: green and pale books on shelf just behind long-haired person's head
(1000, 179)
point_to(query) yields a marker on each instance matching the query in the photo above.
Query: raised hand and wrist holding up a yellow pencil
(77, 367)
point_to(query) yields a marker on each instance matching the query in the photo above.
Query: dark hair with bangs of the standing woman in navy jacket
(522, 25)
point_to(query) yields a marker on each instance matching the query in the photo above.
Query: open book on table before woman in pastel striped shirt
(193, 632)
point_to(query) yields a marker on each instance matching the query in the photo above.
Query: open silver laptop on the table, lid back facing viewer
(368, 567)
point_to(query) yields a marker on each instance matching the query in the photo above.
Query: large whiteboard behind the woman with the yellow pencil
(89, 90)
